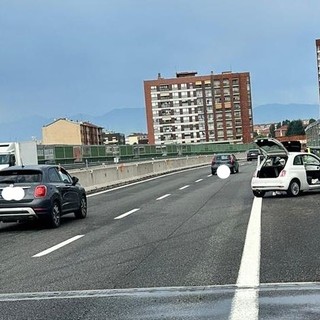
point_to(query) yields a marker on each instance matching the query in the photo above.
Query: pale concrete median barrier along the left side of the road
(100, 177)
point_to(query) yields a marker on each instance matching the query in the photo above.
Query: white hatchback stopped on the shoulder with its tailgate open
(284, 170)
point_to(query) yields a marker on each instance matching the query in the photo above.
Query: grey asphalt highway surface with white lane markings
(183, 233)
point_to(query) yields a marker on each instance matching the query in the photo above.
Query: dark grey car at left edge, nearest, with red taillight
(43, 192)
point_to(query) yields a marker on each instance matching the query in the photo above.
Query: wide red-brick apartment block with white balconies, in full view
(198, 109)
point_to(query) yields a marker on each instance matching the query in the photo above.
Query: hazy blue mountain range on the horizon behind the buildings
(130, 120)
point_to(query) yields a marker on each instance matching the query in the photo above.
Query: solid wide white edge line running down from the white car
(245, 303)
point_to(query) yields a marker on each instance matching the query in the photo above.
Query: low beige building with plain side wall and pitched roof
(65, 131)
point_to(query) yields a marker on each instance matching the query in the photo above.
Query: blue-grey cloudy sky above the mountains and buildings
(62, 57)
